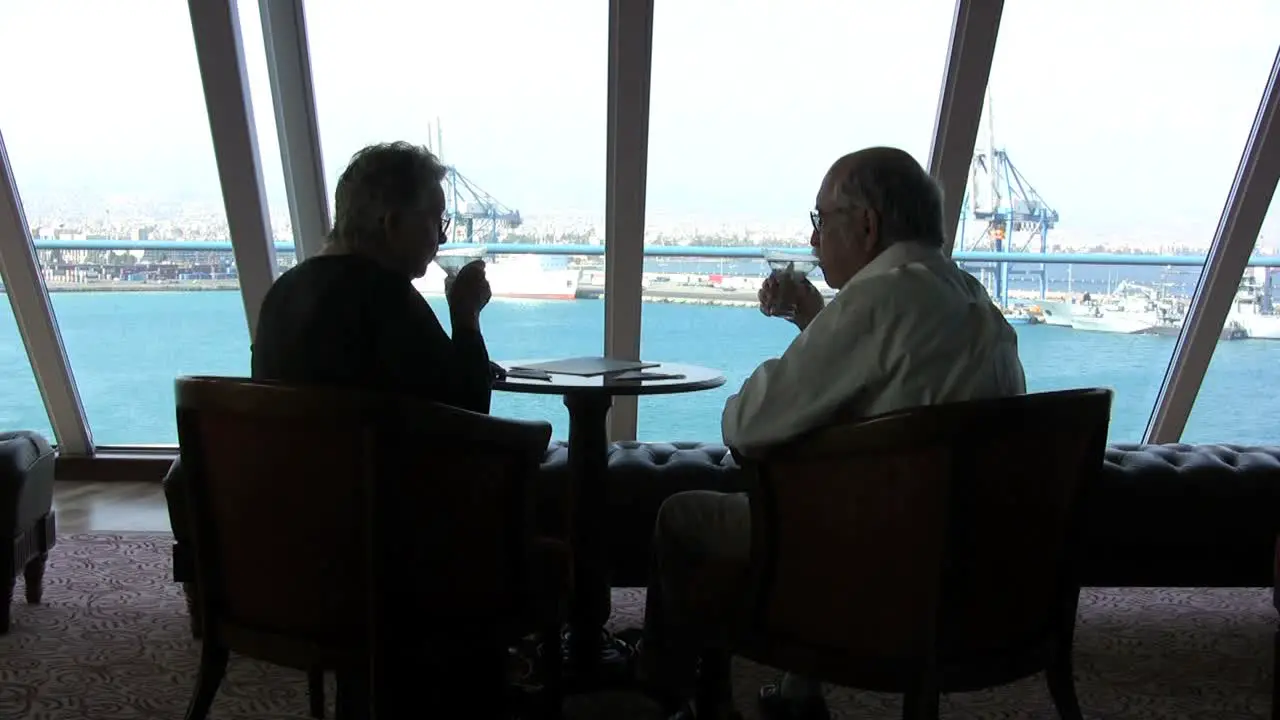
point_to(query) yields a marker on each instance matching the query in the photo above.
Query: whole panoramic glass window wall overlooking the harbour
(1109, 130)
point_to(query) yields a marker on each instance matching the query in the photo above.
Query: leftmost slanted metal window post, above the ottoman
(34, 313)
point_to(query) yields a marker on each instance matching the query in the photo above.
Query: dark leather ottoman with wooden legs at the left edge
(26, 514)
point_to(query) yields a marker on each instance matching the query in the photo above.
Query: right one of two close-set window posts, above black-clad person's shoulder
(289, 62)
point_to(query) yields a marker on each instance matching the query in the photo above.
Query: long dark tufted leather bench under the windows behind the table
(1173, 516)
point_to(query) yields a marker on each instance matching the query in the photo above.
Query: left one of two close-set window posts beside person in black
(221, 56)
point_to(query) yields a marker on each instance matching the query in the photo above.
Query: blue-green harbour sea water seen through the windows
(127, 348)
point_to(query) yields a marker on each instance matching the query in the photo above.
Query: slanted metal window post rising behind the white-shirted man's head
(964, 86)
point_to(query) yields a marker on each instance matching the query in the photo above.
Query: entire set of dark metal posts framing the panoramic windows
(220, 49)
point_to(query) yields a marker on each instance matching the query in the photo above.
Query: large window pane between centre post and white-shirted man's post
(751, 106)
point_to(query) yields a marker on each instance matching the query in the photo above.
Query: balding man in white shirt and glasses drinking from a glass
(907, 329)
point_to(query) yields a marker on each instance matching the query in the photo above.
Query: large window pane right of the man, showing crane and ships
(1123, 127)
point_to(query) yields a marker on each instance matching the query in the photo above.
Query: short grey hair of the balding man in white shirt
(907, 199)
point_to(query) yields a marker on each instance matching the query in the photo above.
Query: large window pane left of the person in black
(107, 129)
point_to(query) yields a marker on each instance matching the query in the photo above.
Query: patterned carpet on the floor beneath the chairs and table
(112, 644)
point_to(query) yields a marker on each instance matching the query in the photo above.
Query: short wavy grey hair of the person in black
(380, 180)
